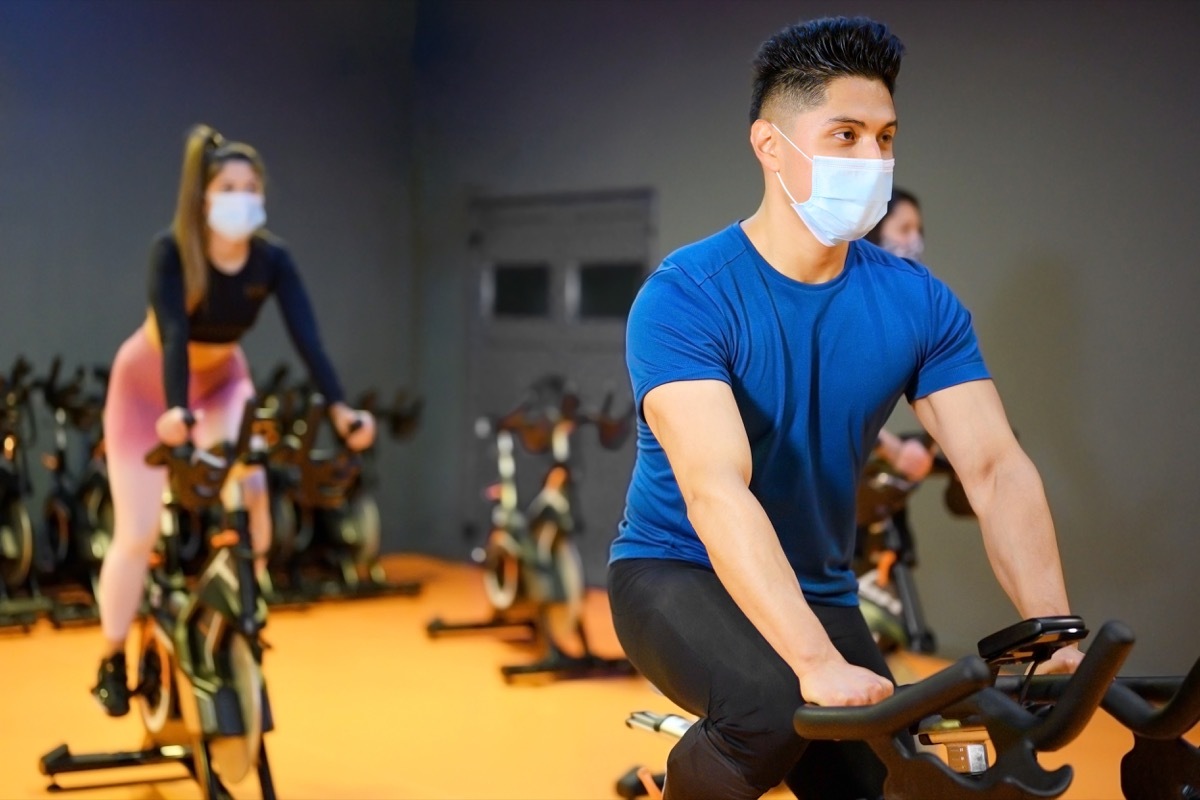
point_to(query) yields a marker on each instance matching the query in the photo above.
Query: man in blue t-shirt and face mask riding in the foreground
(765, 362)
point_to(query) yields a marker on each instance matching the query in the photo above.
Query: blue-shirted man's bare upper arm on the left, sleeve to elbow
(699, 425)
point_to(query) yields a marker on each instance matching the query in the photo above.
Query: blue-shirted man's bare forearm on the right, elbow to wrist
(1019, 537)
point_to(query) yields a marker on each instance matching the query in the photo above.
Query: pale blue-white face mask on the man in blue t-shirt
(850, 196)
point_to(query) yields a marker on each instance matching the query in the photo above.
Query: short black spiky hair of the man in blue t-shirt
(795, 67)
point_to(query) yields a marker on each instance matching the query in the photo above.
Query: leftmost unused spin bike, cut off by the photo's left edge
(21, 599)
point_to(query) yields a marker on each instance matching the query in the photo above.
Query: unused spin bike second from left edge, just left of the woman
(77, 513)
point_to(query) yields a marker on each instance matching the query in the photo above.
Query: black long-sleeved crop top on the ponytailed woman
(230, 310)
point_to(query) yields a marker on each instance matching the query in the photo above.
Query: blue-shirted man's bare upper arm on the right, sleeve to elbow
(969, 424)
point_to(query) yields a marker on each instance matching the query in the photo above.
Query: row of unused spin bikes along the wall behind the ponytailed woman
(326, 544)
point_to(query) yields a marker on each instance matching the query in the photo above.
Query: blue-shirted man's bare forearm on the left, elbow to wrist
(747, 557)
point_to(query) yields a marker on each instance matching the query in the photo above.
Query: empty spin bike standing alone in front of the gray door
(533, 574)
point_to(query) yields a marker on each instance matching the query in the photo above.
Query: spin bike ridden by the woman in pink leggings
(201, 687)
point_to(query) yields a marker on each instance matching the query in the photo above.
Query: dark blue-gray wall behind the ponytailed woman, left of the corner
(95, 99)
